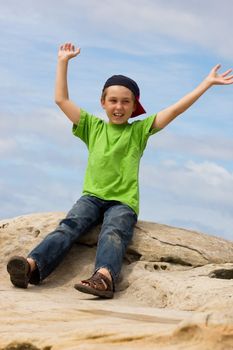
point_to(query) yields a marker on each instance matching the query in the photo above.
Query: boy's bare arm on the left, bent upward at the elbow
(65, 53)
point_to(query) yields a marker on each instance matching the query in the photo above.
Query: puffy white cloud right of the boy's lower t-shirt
(201, 184)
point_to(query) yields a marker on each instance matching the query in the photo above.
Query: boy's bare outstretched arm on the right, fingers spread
(165, 116)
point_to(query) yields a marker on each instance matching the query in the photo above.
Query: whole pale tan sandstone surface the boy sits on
(175, 292)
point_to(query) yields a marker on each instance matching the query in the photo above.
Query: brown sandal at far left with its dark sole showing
(19, 269)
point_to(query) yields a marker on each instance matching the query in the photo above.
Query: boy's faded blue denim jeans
(118, 222)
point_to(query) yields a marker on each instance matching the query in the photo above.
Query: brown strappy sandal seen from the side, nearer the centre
(98, 284)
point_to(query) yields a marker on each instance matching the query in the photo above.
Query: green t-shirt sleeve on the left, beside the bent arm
(85, 126)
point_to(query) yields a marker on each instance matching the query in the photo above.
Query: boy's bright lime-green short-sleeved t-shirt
(114, 156)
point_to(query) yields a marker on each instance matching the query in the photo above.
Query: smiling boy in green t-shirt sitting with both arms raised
(110, 193)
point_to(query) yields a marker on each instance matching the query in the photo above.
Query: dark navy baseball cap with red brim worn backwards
(132, 86)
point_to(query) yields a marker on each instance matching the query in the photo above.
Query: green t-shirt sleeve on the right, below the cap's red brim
(144, 130)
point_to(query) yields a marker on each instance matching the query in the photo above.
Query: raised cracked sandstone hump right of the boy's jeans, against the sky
(155, 242)
